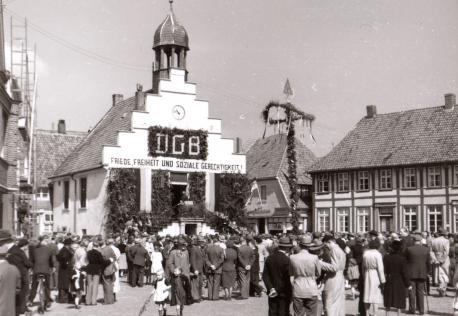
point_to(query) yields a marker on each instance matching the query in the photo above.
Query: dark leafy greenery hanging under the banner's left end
(122, 198)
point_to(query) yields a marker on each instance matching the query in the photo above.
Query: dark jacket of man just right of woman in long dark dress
(418, 261)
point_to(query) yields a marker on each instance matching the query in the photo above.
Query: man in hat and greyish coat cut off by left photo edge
(9, 275)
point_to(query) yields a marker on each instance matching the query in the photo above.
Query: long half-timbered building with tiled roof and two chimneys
(392, 170)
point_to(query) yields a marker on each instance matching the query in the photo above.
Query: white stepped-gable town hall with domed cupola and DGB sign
(164, 128)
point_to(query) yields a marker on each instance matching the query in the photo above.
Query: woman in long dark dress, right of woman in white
(397, 281)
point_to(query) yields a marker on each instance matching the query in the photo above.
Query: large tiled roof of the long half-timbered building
(420, 136)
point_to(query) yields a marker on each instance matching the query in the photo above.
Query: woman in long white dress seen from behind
(374, 277)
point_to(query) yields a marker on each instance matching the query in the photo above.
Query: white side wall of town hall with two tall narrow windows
(77, 219)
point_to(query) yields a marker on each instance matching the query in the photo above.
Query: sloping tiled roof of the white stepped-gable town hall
(88, 154)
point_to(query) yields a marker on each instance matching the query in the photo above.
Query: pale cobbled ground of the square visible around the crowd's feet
(130, 300)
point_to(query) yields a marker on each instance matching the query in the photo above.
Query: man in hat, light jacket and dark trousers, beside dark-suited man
(305, 269)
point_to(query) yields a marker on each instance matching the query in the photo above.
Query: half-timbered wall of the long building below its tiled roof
(421, 200)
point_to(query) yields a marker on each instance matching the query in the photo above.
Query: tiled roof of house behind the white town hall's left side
(51, 150)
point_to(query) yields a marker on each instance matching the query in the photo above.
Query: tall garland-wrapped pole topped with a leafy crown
(292, 115)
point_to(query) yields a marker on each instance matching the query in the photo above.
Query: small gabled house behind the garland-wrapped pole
(268, 208)
